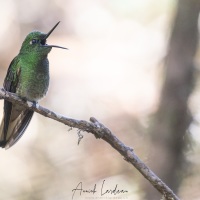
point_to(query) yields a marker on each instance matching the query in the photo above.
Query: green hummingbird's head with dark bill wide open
(35, 43)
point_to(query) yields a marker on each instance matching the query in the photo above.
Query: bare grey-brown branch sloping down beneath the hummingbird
(99, 131)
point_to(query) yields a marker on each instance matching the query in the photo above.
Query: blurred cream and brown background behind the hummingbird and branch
(133, 65)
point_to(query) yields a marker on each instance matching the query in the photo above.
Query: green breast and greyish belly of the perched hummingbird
(33, 80)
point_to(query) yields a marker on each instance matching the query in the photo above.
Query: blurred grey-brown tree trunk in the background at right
(173, 117)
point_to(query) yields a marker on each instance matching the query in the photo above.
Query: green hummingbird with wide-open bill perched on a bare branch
(28, 77)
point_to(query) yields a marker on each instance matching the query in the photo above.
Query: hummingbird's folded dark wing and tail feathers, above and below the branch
(16, 117)
